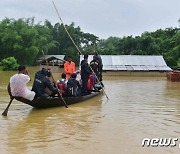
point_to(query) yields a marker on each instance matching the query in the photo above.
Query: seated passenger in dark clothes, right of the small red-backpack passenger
(73, 86)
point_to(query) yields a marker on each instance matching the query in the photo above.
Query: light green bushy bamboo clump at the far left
(24, 40)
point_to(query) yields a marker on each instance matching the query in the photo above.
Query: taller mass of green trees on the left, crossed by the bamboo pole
(25, 40)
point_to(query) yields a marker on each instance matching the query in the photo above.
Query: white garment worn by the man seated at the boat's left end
(18, 86)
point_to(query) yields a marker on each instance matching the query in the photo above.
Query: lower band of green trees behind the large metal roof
(161, 42)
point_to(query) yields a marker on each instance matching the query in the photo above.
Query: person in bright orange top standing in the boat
(69, 67)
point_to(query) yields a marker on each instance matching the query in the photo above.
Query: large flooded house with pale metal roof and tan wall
(135, 65)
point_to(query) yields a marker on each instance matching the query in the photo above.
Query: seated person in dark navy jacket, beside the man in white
(41, 82)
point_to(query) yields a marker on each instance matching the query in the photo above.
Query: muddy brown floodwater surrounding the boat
(138, 108)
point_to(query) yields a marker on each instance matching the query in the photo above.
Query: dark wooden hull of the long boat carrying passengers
(56, 101)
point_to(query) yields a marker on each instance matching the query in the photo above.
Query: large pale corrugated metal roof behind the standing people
(132, 62)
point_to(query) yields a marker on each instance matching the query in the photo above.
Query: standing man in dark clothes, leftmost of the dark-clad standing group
(85, 72)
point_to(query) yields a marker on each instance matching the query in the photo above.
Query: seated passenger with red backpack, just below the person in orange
(61, 84)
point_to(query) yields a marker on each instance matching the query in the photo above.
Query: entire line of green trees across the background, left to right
(24, 40)
